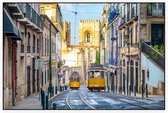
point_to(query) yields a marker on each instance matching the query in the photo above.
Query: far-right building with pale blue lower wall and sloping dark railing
(152, 32)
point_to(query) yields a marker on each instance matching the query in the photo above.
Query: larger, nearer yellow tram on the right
(96, 79)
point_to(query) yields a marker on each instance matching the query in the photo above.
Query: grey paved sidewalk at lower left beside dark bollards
(31, 102)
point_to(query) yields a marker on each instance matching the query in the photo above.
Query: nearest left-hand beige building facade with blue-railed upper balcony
(29, 23)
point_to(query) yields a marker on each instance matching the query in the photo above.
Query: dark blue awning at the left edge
(9, 27)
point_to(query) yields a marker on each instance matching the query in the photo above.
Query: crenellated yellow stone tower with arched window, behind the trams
(89, 42)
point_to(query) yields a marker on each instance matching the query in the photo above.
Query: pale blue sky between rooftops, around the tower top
(85, 11)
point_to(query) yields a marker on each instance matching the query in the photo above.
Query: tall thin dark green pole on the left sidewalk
(50, 68)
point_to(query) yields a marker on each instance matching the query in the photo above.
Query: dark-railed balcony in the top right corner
(152, 10)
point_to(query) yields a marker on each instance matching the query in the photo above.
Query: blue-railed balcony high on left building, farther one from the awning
(31, 18)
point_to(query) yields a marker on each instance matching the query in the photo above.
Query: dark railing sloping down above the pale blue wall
(154, 55)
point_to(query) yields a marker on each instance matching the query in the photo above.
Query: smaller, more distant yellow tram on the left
(74, 80)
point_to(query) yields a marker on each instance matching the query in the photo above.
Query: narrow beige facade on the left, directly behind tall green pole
(49, 45)
